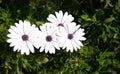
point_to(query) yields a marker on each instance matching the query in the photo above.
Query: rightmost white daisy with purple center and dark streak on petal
(71, 37)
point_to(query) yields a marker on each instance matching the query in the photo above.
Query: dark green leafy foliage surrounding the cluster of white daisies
(99, 55)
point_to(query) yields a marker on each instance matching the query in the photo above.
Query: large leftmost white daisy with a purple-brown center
(23, 37)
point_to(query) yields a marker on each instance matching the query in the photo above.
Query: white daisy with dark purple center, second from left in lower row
(48, 39)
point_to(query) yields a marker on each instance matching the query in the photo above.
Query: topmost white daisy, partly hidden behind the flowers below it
(60, 19)
